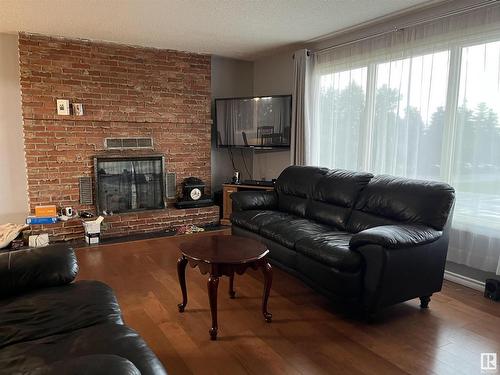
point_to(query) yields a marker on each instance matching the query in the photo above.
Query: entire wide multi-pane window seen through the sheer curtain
(409, 117)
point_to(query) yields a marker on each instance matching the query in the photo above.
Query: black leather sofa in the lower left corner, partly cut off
(52, 325)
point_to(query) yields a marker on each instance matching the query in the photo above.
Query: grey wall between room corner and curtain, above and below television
(273, 75)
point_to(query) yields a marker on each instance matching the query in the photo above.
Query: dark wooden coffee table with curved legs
(223, 256)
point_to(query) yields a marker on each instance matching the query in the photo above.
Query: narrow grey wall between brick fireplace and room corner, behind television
(230, 78)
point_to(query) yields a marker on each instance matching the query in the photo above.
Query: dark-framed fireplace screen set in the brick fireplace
(126, 184)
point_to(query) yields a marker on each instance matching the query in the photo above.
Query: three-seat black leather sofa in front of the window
(369, 240)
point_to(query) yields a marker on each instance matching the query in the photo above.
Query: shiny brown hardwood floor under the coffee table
(307, 335)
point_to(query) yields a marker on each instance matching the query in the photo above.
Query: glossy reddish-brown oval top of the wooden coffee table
(224, 249)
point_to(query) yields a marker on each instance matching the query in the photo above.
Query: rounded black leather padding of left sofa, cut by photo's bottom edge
(98, 364)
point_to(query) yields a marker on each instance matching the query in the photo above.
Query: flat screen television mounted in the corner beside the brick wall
(260, 122)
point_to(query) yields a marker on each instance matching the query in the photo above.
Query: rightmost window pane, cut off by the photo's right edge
(476, 161)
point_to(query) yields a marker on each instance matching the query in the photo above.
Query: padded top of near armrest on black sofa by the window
(395, 236)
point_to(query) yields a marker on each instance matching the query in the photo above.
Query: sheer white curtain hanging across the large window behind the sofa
(422, 102)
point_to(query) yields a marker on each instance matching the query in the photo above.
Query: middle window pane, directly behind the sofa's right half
(409, 95)
